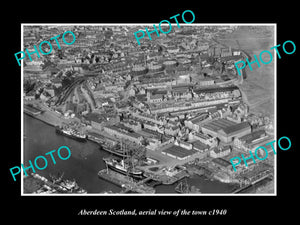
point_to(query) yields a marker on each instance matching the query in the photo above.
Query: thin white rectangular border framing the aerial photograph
(149, 24)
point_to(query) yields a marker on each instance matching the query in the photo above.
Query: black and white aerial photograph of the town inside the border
(176, 114)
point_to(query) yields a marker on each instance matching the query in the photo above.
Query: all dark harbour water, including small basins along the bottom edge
(86, 161)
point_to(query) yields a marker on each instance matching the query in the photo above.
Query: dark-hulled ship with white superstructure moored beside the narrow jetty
(120, 166)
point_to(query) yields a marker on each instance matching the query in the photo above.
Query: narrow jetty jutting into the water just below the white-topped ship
(127, 183)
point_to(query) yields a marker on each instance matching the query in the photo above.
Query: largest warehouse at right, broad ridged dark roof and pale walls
(226, 130)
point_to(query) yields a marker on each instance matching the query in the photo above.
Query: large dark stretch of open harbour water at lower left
(83, 165)
